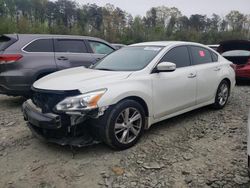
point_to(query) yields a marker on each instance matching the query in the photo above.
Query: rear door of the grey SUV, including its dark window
(71, 53)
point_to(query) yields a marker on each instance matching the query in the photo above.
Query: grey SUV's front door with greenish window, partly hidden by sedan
(99, 49)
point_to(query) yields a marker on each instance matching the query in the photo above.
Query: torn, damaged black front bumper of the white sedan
(61, 129)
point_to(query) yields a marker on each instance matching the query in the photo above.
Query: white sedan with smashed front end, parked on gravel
(127, 92)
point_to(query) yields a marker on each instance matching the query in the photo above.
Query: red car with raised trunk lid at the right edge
(238, 52)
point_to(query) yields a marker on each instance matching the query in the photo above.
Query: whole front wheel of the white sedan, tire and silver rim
(123, 125)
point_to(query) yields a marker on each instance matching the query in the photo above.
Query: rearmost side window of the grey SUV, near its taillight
(40, 45)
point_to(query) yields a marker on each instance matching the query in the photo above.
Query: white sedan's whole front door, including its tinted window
(174, 91)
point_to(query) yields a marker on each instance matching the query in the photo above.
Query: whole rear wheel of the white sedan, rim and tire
(222, 95)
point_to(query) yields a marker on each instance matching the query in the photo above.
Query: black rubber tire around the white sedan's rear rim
(218, 104)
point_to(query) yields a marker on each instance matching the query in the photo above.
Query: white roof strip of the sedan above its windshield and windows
(166, 43)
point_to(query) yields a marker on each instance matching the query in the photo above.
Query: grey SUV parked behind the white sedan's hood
(24, 58)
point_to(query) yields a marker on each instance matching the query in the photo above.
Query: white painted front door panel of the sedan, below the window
(173, 91)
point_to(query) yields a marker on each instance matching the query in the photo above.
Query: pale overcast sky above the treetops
(187, 7)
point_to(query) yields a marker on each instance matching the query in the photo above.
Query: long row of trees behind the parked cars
(115, 25)
